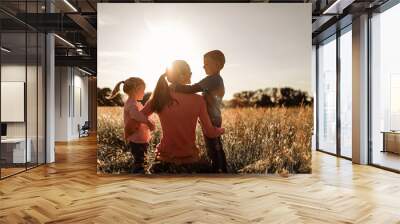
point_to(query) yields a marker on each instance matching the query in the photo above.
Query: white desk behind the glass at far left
(13, 150)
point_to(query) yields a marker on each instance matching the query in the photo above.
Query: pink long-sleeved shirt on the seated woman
(178, 122)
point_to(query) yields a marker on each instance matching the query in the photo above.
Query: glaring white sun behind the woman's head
(161, 43)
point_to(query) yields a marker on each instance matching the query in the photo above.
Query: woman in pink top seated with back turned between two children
(179, 113)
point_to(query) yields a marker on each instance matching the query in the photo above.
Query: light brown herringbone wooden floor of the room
(70, 191)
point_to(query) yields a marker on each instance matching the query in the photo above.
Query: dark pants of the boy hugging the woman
(216, 152)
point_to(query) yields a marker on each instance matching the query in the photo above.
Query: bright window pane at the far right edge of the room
(385, 89)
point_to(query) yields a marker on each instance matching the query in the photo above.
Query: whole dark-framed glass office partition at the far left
(22, 64)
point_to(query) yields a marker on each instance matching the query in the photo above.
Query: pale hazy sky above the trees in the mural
(265, 45)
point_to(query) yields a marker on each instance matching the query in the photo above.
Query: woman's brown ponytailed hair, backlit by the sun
(161, 96)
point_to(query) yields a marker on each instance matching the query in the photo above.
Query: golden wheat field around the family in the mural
(256, 140)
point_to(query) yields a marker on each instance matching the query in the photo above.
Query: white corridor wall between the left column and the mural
(70, 109)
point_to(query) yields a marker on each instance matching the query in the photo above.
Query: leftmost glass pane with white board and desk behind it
(13, 94)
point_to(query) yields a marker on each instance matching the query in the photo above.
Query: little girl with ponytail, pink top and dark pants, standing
(136, 125)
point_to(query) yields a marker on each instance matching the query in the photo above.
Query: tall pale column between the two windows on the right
(360, 90)
